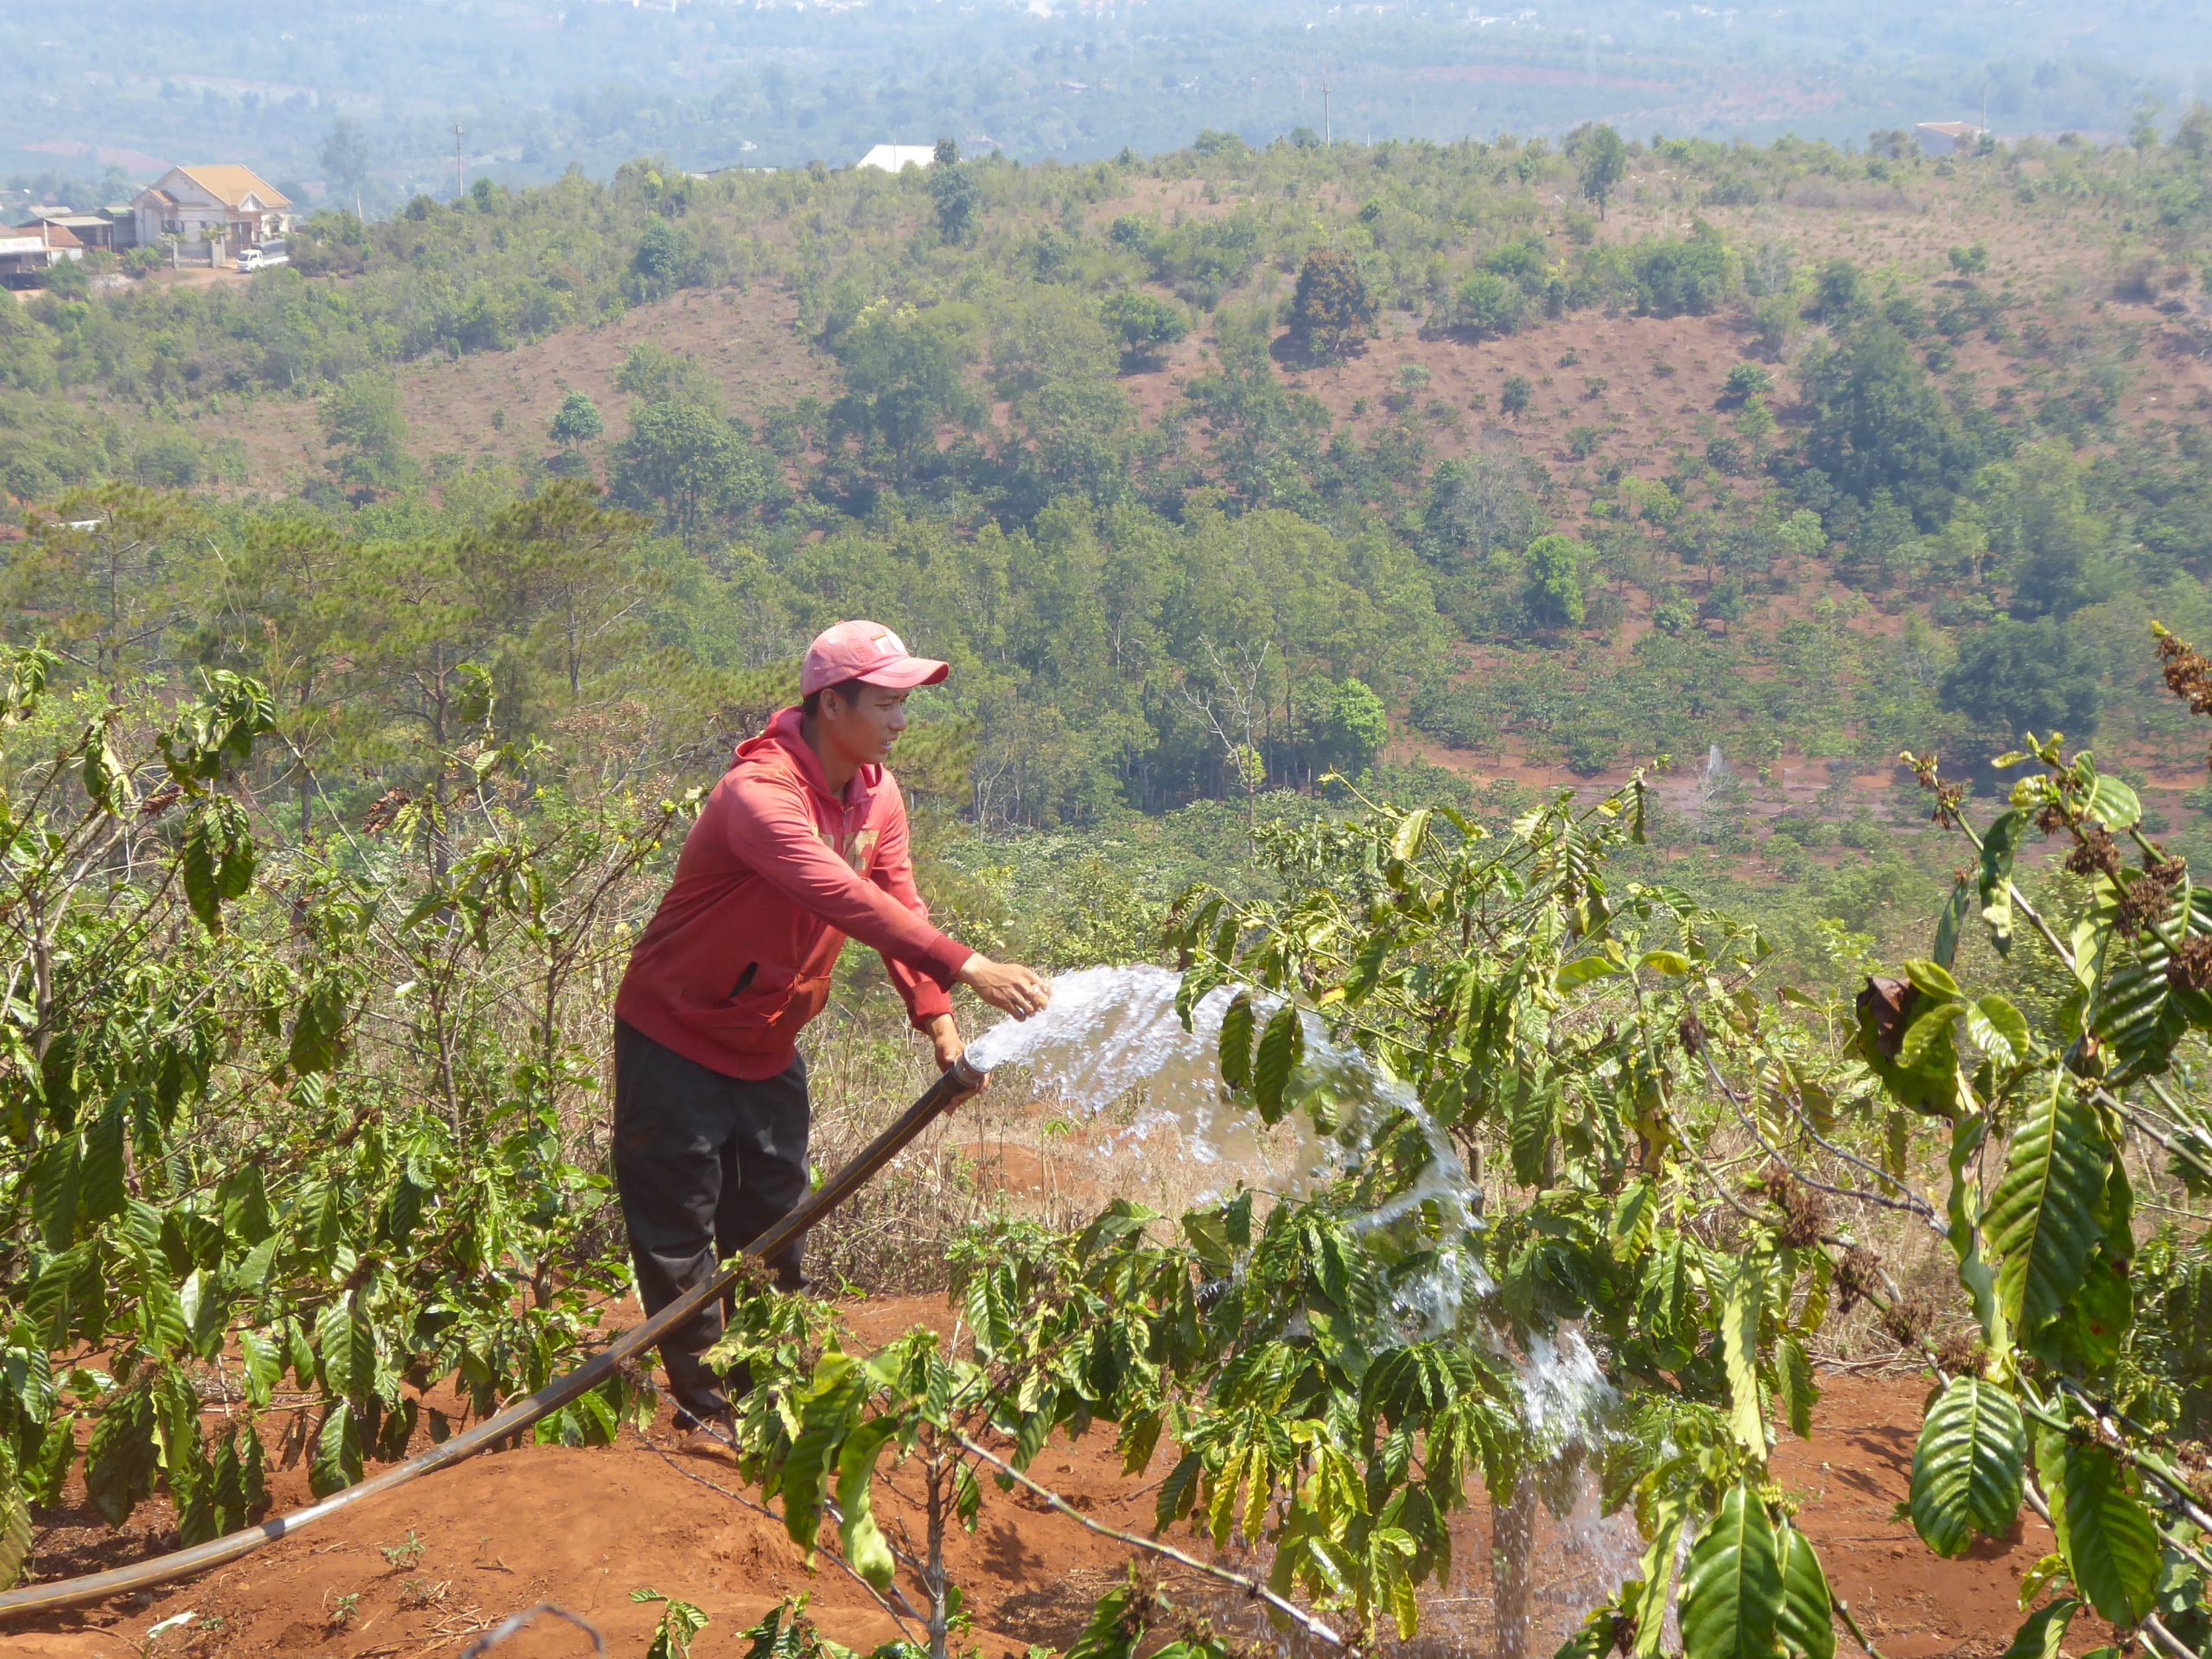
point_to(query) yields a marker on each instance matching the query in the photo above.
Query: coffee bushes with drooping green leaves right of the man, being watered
(1673, 1158)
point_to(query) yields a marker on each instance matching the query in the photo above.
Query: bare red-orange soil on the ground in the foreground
(587, 1527)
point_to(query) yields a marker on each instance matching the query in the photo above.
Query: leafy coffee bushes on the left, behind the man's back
(284, 1129)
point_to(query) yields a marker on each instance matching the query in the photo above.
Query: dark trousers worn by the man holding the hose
(705, 1167)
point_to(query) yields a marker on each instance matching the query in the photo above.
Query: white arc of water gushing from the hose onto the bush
(1112, 1039)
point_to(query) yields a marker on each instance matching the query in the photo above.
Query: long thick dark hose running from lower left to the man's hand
(163, 1569)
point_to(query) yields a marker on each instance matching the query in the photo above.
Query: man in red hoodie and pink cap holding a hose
(800, 846)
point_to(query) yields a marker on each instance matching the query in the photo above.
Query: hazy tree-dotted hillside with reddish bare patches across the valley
(1744, 466)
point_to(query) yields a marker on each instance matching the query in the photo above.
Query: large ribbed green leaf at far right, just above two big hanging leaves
(2043, 1218)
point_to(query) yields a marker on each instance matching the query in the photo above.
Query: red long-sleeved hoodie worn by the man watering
(771, 881)
